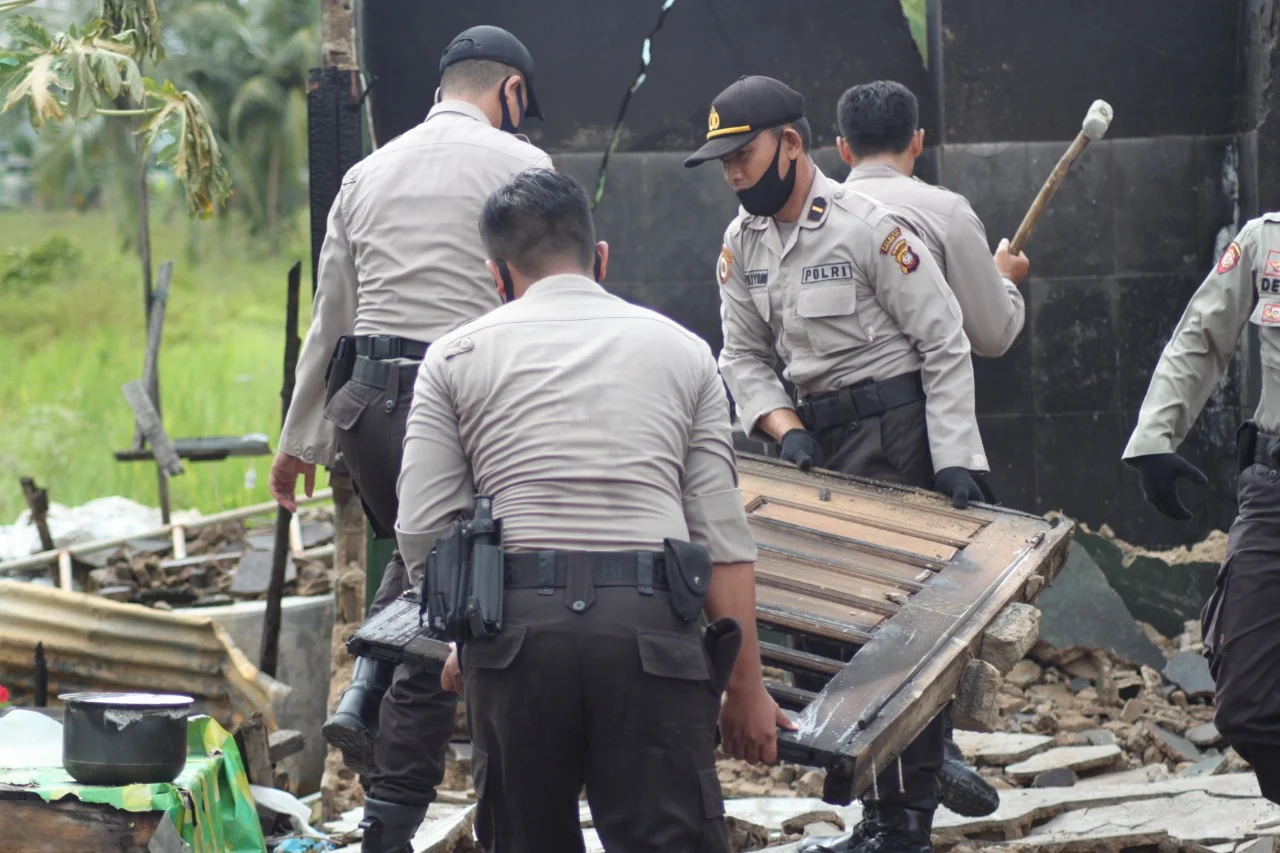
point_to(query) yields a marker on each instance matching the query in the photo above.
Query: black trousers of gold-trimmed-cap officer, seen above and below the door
(894, 448)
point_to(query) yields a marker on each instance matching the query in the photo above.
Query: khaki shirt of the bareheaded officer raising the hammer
(993, 307)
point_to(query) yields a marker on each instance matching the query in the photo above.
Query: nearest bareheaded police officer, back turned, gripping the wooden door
(601, 431)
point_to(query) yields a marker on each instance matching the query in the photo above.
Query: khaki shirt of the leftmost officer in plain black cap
(403, 254)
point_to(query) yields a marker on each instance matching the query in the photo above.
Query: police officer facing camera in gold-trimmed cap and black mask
(872, 339)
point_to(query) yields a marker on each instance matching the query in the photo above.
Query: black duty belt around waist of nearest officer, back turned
(548, 571)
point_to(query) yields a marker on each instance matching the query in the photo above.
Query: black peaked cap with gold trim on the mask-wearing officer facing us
(749, 106)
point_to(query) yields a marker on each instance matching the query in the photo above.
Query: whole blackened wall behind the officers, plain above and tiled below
(1194, 152)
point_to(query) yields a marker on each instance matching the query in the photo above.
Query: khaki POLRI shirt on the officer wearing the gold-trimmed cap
(849, 297)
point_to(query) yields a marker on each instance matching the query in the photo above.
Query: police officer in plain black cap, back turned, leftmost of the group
(400, 267)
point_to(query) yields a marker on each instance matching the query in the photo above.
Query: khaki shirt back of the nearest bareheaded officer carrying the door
(593, 425)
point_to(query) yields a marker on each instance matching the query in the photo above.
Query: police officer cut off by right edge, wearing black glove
(1240, 619)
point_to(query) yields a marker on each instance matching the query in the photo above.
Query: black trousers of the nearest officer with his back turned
(618, 697)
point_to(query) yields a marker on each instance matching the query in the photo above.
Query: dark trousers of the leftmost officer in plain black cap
(415, 722)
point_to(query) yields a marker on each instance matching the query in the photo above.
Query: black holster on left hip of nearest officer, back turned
(463, 587)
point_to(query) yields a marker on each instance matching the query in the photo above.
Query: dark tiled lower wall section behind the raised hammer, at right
(1116, 259)
